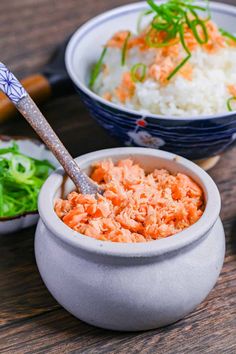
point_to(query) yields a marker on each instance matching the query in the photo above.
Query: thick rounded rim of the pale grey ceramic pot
(153, 248)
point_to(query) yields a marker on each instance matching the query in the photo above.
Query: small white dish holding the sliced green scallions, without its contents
(33, 148)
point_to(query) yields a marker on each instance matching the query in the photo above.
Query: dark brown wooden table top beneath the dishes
(30, 319)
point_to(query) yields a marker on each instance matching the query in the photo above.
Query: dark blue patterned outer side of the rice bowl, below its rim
(193, 139)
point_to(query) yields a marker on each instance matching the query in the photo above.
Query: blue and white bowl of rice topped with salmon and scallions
(160, 75)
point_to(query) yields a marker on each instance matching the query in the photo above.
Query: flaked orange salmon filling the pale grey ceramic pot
(135, 207)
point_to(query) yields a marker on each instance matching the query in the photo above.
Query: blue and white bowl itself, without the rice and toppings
(194, 138)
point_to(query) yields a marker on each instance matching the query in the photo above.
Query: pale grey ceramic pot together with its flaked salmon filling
(141, 256)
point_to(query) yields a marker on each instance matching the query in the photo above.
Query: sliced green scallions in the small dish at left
(21, 178)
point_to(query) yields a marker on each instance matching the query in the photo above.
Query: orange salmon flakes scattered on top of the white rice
(167, 57)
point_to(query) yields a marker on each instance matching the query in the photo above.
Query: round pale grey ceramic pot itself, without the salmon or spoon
(130, 287)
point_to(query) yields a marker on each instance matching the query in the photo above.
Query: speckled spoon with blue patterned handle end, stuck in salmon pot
(27, 107)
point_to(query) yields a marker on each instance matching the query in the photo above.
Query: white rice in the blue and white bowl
(205, 94)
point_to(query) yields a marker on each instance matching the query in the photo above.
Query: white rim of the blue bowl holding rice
(81, 31)
